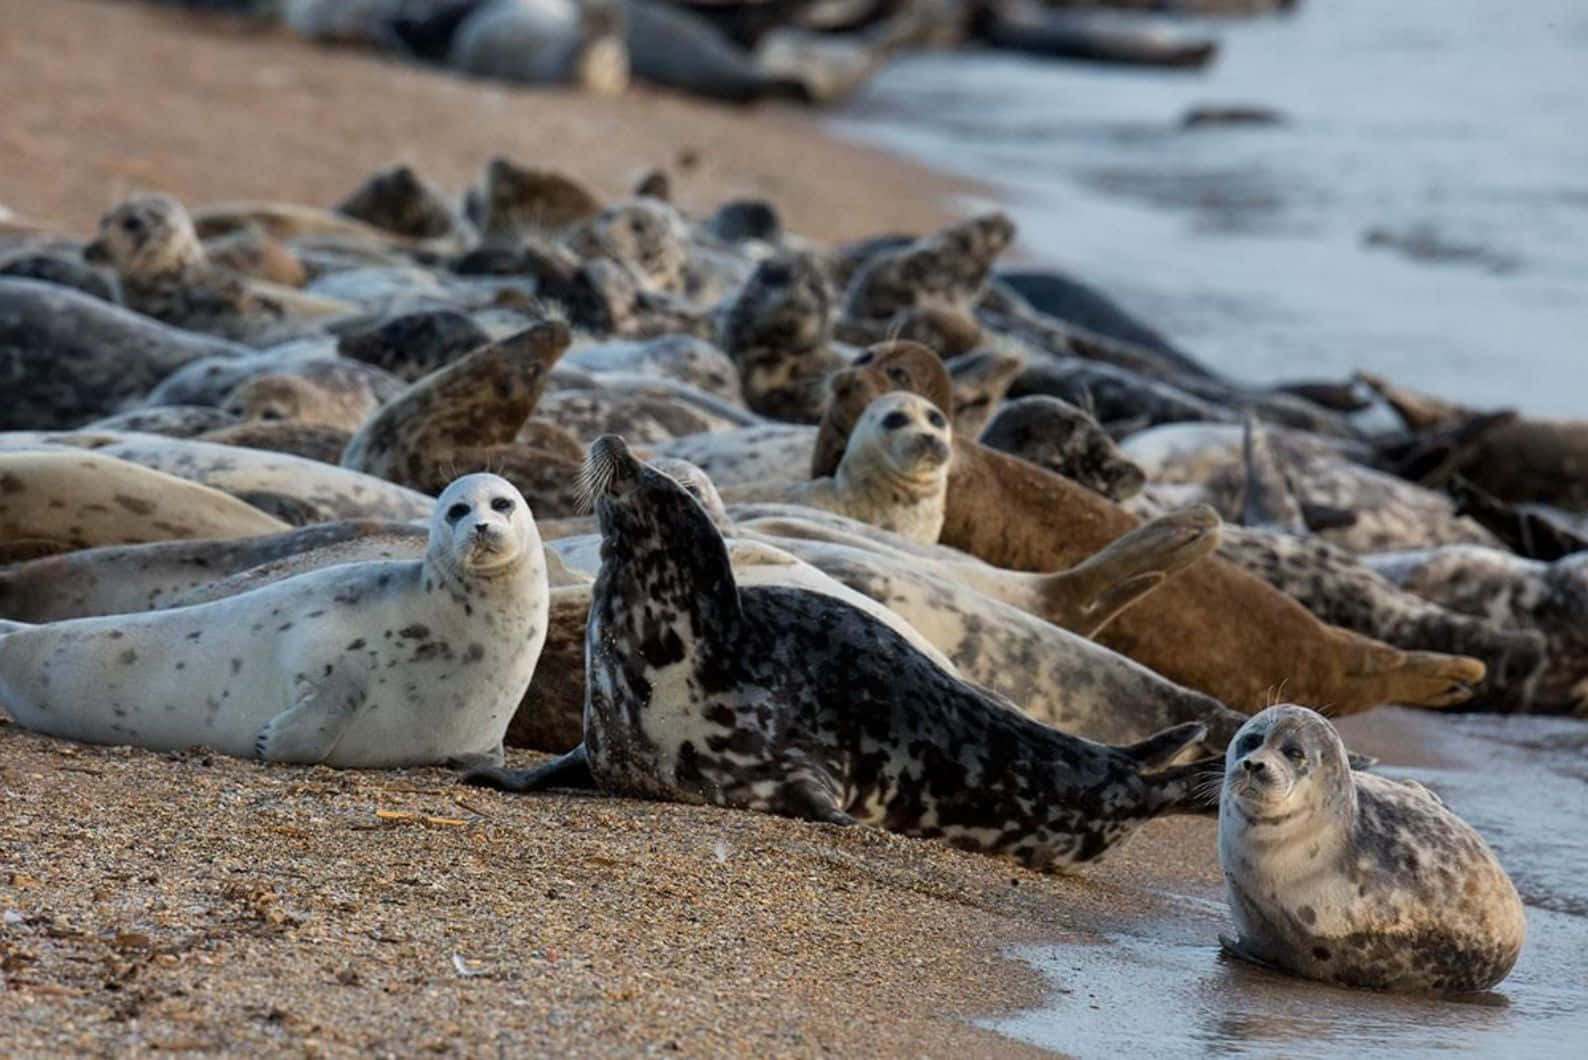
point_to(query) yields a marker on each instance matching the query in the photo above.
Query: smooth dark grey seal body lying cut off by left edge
(71, 359)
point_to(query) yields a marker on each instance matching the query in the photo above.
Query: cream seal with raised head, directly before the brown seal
(895, 470)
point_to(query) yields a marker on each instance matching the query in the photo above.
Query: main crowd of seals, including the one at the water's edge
(858, 558)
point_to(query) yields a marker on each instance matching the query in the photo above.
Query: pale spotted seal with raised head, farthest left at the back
(164, 274)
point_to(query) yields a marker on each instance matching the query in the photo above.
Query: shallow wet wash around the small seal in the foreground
(1163, 989)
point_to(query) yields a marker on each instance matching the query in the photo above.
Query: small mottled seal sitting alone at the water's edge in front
(1352, 878)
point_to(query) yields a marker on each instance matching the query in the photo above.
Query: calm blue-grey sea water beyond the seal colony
(1422, 213)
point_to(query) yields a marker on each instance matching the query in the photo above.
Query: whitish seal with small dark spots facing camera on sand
(363, 666)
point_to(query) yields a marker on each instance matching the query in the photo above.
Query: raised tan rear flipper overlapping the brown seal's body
(1093, 593)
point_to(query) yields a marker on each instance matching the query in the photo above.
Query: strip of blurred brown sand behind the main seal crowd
(102, 99)
